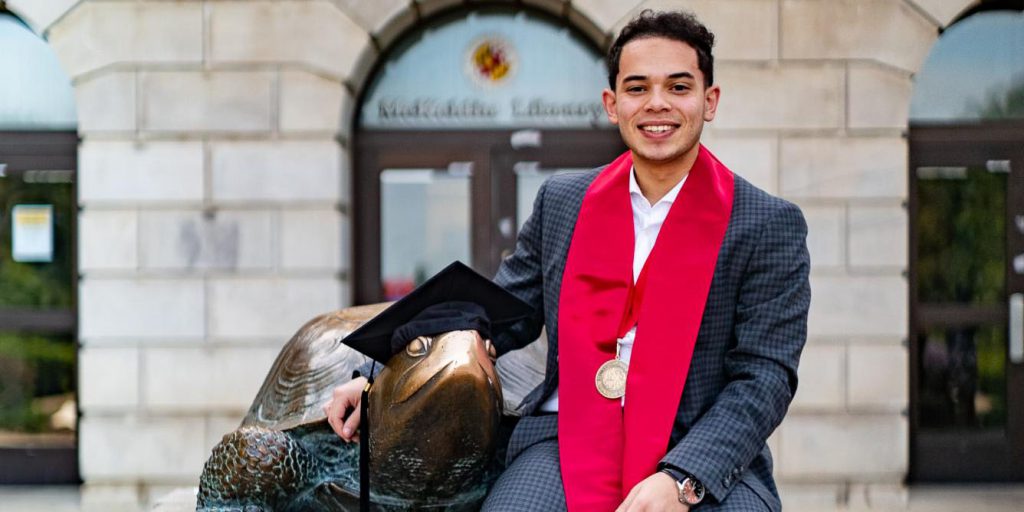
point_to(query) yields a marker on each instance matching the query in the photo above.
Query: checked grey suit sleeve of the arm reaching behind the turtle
(523, 276)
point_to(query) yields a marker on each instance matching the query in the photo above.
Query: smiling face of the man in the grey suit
(660, 102)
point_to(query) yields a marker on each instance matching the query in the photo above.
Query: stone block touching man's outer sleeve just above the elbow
(859, 306)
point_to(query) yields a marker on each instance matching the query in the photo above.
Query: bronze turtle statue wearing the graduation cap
(435, 411)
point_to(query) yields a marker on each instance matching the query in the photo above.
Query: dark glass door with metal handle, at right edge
(967, 187)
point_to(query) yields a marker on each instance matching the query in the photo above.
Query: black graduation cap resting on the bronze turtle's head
(454, 298)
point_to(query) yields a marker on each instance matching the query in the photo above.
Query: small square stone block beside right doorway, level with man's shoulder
(879, 236)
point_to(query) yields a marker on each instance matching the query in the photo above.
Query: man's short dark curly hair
(678, 26)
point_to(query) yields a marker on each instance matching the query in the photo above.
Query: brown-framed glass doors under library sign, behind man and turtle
(423, 199)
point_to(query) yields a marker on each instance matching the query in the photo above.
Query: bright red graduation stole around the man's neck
(607, 449)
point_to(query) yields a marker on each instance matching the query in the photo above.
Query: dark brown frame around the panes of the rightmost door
(952, 456)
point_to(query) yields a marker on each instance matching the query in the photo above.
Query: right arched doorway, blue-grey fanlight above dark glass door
(967, 253)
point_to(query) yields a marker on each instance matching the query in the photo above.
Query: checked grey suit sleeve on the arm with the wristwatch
(761, 368)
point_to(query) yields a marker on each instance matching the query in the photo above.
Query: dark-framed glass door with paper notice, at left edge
(38, 408)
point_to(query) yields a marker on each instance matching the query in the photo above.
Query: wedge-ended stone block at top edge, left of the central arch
(314, 33)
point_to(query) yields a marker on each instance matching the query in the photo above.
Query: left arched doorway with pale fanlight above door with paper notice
(38, 282)
